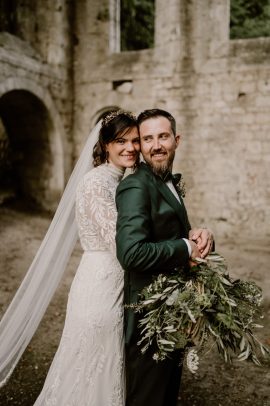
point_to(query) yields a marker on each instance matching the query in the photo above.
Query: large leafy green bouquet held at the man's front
(200, 307)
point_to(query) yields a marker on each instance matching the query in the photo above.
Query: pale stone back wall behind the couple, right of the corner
(217, 89)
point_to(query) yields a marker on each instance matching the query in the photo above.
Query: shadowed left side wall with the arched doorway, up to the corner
(36, 98)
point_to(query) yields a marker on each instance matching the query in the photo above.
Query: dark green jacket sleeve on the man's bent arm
(135, 250)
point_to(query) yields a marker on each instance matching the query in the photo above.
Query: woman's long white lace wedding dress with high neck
(88, 368)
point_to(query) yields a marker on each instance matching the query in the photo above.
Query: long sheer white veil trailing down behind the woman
(31, 300)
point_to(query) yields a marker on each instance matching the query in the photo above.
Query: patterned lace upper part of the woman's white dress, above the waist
(96, 213)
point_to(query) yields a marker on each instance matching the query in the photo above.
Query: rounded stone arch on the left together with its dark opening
(36, 136)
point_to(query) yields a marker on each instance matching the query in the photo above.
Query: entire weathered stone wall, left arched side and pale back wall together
(68, 58)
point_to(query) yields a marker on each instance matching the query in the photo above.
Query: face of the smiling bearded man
(158, 143)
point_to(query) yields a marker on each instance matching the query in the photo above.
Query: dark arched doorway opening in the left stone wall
(25, 152)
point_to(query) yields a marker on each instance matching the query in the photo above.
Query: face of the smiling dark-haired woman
(124, 150)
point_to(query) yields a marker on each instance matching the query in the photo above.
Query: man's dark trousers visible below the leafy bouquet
(151, 383)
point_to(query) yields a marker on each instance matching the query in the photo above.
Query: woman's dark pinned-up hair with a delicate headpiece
(115, 123)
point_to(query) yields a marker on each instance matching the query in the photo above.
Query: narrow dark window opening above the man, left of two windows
(137, 24)
